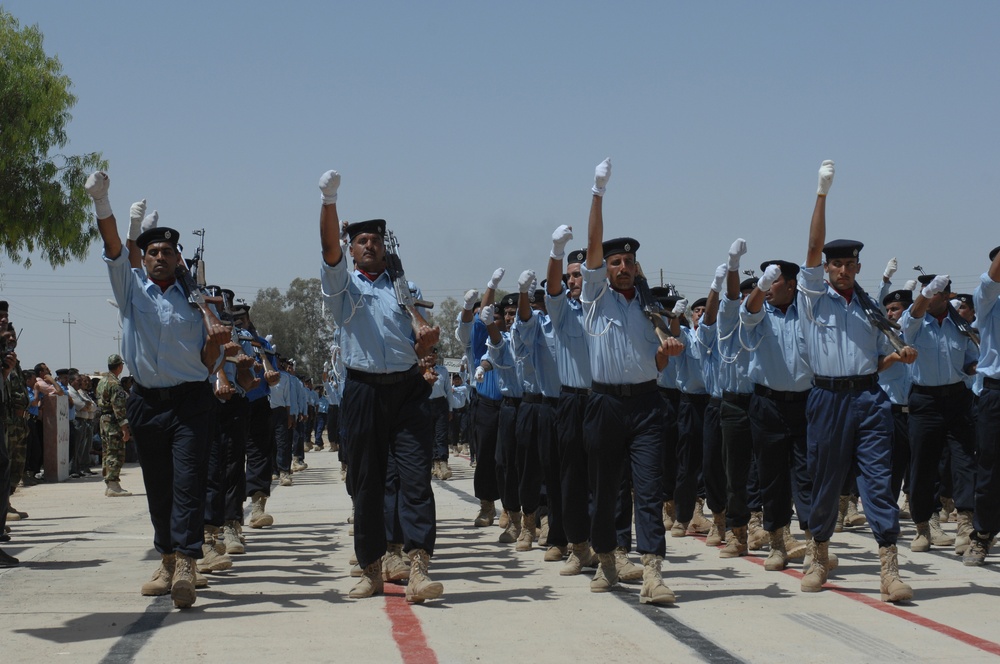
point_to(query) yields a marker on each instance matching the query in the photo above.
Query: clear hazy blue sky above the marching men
(474, 129)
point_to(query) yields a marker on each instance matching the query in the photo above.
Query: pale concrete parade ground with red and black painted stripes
(84, 556)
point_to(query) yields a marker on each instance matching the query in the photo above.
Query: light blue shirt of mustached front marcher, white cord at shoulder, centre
(621, 339)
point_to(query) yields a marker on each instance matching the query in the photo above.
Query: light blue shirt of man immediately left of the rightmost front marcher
(779, 357)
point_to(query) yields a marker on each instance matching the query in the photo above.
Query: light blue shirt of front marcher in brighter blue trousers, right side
(840, 341)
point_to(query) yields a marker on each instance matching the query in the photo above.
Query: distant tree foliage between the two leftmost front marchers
(295, 319)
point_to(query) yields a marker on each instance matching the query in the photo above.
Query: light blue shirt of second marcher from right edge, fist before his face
(942, 350)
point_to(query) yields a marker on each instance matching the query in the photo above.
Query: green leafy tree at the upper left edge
(43, 205)
